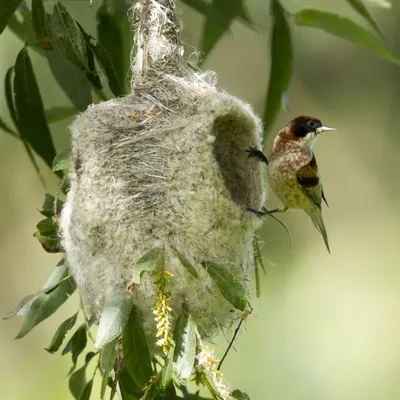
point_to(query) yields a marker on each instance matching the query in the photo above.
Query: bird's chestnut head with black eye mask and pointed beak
(303, 131)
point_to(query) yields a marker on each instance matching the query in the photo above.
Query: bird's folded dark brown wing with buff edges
(310, 183)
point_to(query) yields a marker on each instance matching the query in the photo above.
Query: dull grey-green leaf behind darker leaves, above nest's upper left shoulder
(72, 80)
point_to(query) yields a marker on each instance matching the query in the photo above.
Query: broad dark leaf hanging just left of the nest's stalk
(111, 56)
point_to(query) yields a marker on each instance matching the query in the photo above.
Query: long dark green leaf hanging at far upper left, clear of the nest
(32, 122)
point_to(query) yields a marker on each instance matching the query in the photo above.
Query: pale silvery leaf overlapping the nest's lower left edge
(115, 314)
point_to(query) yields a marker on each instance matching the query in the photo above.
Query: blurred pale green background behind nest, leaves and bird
(327, 327)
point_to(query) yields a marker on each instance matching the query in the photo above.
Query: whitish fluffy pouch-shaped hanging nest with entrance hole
(164, 165)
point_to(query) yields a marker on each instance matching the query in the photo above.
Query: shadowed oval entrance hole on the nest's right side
(233, 136)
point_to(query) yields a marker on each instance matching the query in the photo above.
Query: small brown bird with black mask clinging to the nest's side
(293, 171)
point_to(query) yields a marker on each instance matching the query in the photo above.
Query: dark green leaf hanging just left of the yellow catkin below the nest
(135, 350)
